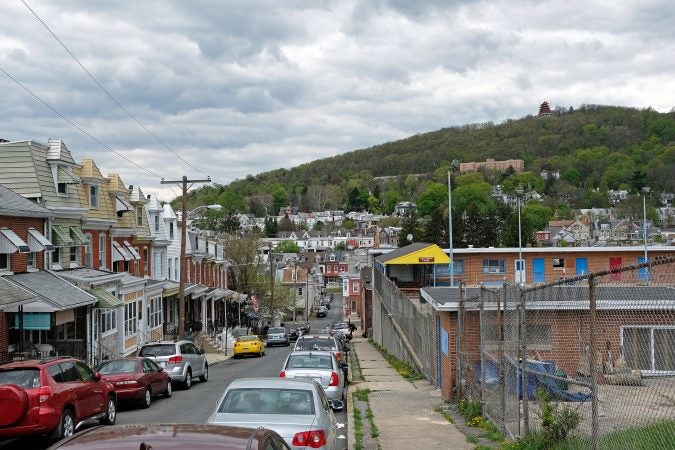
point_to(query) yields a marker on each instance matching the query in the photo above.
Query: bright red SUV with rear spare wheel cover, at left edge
(54, 396)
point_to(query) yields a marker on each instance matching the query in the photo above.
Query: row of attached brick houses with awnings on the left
(106, 279)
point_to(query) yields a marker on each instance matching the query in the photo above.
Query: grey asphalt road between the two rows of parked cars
(195, 405)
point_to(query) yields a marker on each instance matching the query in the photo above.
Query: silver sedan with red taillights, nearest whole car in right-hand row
(296, 409)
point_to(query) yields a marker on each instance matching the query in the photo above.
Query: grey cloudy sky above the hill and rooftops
(242, 87)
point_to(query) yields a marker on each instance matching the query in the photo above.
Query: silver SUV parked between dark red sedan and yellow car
(182, 360)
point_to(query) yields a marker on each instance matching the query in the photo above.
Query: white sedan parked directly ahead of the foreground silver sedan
(322, 367)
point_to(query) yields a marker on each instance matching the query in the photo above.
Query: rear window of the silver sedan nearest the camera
(268, 401)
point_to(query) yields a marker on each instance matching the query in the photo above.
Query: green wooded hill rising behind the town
(594, 148)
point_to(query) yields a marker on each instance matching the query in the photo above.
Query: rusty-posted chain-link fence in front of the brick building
(599, 352)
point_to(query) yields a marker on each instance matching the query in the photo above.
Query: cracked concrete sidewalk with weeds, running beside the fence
(404, 411)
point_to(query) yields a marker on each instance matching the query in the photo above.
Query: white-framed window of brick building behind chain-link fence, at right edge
(649, 347)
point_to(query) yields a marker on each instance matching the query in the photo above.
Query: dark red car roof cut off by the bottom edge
(173, 436)
